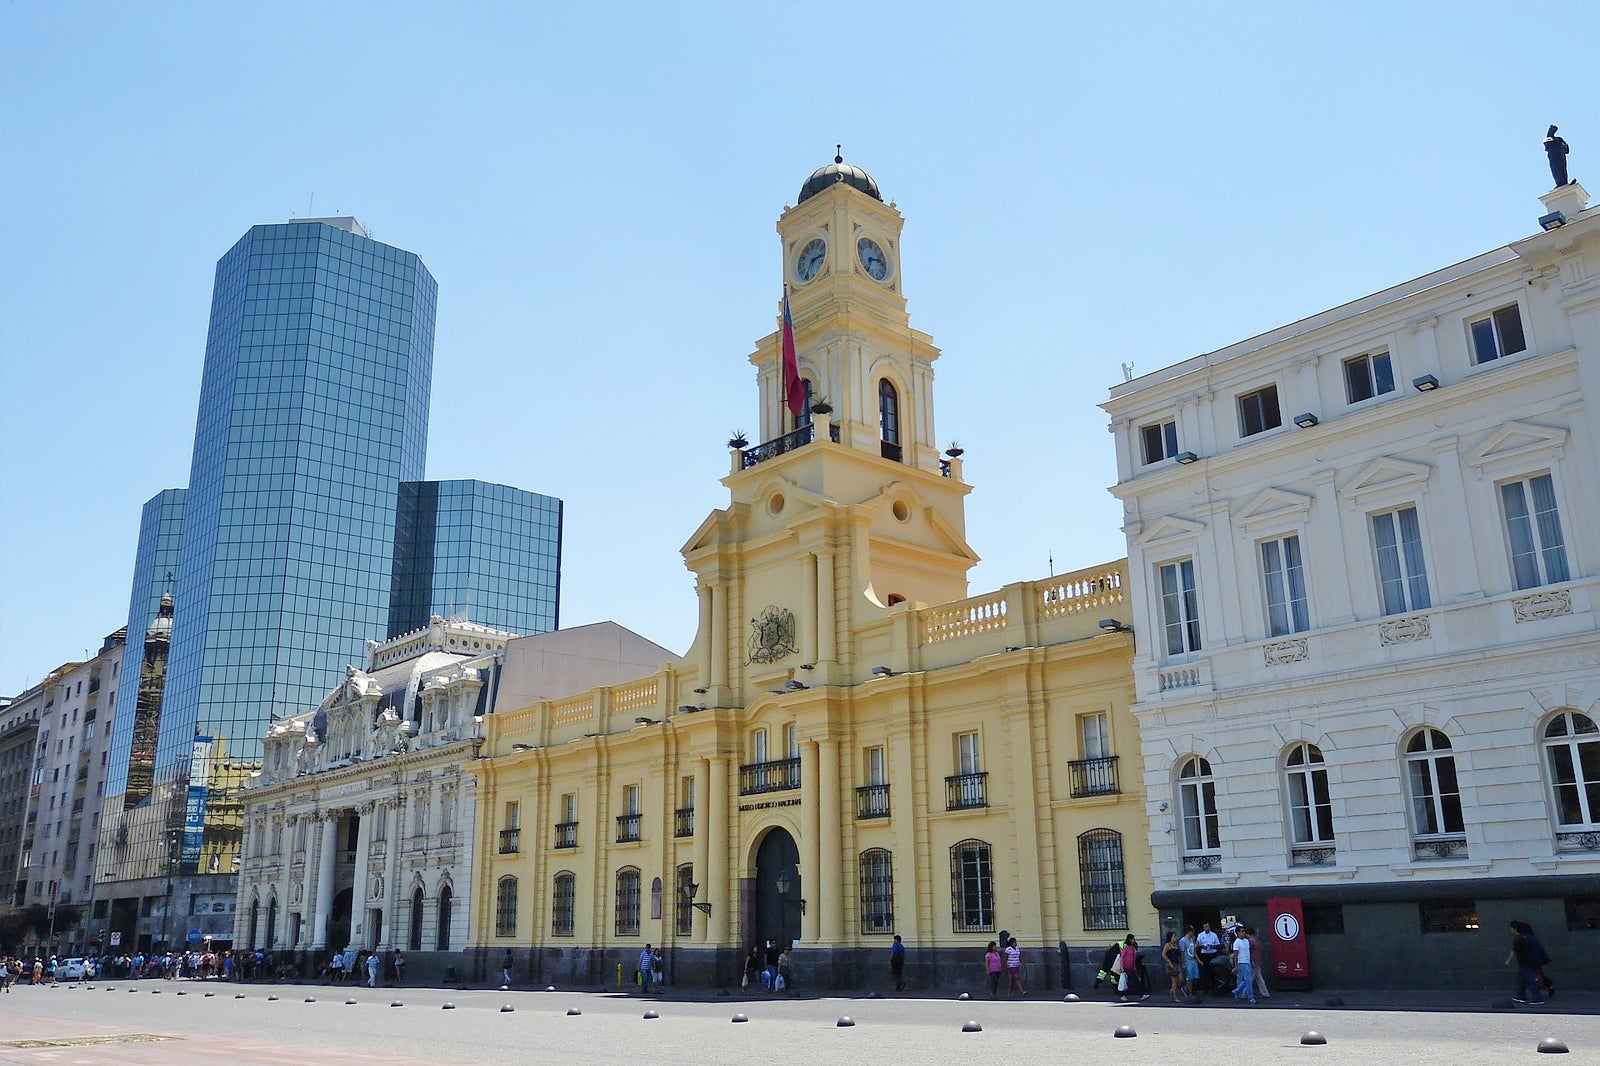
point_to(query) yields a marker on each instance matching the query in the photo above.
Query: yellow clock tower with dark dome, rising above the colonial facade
(849, 511)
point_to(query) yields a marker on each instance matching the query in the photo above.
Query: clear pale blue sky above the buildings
(596, 190)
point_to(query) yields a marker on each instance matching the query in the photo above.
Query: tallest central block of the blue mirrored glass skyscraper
(313, 412)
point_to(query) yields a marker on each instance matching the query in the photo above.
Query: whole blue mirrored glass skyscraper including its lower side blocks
(306, 527)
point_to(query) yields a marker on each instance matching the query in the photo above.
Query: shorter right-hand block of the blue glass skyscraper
(492, 553)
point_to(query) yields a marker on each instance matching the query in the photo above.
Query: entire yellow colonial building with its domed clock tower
(854, 747)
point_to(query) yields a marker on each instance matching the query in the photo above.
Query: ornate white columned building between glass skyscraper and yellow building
(359, 827)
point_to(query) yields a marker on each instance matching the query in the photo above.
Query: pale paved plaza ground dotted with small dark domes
(150, 1024)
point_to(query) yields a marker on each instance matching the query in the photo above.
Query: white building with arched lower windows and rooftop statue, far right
(1366, 564)
